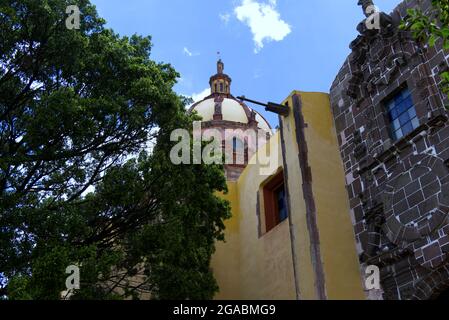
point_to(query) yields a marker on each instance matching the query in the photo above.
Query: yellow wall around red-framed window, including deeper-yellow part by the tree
(247, 266)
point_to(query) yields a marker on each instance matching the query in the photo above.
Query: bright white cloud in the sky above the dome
(264, 21)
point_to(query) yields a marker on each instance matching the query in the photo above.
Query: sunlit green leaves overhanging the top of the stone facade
(431, 27)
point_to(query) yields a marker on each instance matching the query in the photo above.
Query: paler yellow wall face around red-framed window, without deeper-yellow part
(266, 261)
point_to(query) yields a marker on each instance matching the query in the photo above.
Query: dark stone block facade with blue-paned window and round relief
(393, 132)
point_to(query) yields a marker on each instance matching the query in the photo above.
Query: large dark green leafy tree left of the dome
(78, 109)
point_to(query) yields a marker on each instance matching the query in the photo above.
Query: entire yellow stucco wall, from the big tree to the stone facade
(253, 266)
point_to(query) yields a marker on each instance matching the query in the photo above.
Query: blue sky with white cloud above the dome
(269, 47)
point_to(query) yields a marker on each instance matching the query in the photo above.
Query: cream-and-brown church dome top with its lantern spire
(220, 105)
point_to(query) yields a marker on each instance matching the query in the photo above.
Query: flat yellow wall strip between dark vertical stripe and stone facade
(337, 241)
